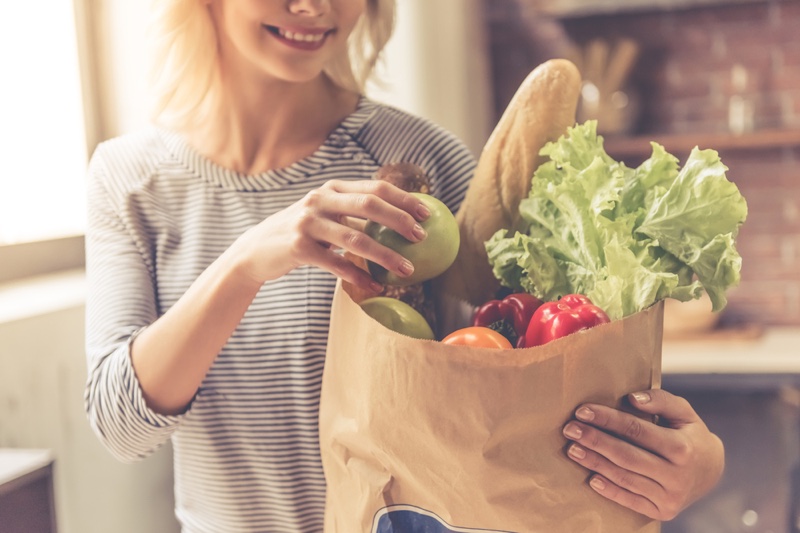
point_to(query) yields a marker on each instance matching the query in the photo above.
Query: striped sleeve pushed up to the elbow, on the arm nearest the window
(120, 302)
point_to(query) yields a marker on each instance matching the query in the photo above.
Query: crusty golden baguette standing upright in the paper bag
(541, 110)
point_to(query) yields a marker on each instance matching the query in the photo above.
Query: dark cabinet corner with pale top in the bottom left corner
(26, 491)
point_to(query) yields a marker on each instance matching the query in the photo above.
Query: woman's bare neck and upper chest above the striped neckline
(264, 126)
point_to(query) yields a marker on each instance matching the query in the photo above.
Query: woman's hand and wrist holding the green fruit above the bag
(328, 220)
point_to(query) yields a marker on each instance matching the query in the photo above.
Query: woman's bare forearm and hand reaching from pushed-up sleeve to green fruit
(172, 356)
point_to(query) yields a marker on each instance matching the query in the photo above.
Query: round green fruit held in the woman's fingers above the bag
(431, 256)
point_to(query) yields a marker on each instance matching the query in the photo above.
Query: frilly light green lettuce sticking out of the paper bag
(626, 238)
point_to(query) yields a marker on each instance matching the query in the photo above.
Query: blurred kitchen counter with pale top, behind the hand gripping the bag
(748, 392)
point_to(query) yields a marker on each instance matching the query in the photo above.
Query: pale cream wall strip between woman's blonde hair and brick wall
(437, 66)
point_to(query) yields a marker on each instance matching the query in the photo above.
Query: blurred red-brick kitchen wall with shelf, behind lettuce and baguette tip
(724, 76)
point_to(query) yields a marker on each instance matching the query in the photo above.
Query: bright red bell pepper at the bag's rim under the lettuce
(552, 320)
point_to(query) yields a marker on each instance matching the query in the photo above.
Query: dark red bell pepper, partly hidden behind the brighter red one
(509, 316)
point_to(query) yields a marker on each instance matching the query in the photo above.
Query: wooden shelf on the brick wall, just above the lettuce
(681, 145)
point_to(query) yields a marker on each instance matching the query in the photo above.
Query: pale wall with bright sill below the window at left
(42, 377)
